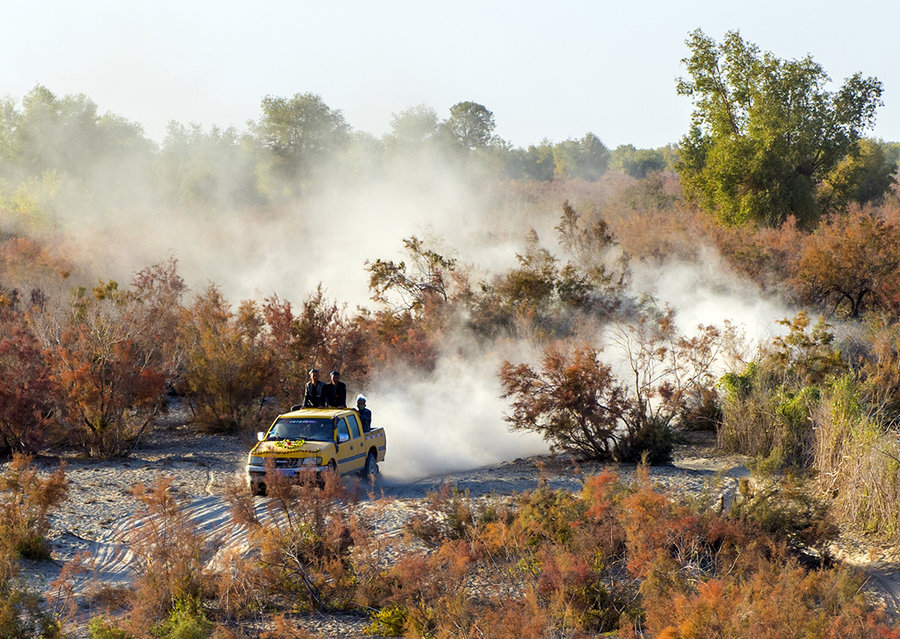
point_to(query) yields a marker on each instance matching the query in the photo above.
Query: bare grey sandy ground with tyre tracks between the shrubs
(100, 510)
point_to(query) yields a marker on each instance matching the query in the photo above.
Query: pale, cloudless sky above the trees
(554, 69)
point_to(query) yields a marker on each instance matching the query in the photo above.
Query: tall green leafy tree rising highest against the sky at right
(765, 131)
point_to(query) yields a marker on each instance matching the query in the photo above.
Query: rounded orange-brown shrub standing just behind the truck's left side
(228, 367)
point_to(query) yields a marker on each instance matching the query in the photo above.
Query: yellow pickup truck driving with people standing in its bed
(317, 439)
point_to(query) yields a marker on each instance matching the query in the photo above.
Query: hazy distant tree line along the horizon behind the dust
(51, 143)
